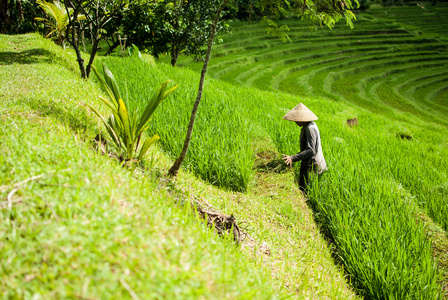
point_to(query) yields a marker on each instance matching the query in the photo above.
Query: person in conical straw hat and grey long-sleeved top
(310, 149)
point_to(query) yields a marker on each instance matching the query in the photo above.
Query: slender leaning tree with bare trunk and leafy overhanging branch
(323, 12)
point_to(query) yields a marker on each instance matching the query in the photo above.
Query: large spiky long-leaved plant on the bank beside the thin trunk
(124, 126)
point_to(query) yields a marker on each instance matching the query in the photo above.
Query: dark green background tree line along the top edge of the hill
(172, 26)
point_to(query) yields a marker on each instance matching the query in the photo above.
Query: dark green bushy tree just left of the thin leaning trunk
(170, 26)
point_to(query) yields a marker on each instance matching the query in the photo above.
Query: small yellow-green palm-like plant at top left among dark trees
(59, 19)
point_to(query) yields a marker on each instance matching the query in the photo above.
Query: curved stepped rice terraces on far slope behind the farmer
(395, 60)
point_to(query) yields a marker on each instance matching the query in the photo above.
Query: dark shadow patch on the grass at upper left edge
(31, 56)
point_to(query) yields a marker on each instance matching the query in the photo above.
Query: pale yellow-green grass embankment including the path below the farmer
(76, 225)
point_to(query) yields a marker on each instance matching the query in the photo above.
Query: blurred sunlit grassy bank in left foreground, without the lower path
(87, 227)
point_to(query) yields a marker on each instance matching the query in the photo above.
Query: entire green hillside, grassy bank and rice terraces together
(375, 226)
